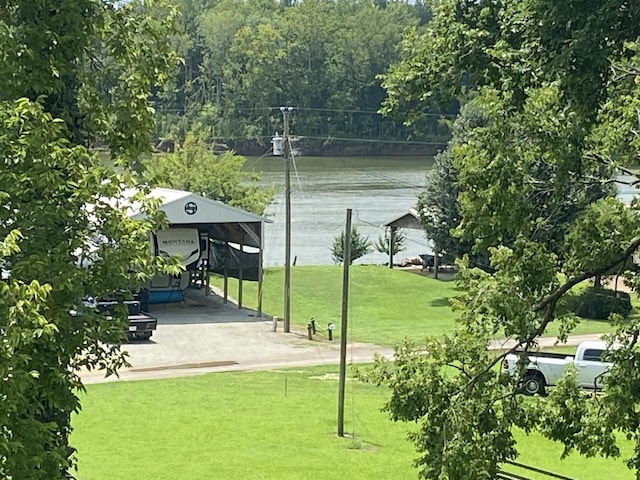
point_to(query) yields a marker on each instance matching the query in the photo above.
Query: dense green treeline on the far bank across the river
(243, 59)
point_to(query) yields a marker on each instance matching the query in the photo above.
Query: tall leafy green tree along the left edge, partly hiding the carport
(73, 73)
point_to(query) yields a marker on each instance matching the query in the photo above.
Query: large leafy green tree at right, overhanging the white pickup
(556, 83)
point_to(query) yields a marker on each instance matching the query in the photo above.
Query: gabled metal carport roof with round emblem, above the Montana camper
(221, 221)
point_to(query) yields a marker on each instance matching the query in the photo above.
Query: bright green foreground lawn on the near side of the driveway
(263, 425)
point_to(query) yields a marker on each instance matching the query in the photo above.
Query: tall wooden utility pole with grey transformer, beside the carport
(287, 208)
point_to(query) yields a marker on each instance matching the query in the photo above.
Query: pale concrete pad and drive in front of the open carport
(203, 334)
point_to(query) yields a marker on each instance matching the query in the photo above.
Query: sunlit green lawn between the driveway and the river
(386, 305)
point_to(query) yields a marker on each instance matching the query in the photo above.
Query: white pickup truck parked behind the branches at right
(545, 369)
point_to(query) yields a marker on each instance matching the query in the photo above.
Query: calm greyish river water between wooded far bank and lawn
(377, 189)
